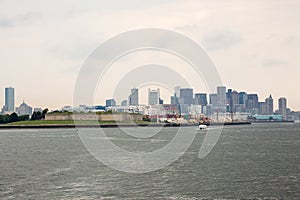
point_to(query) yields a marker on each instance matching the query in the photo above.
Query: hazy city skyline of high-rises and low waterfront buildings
(225, 105)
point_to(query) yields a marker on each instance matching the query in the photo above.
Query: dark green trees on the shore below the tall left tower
(4, 119)
